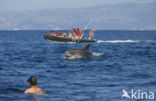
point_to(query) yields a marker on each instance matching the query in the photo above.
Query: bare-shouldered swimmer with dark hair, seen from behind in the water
(34, 89)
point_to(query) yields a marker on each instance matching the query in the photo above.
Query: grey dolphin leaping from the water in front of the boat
(79, 53)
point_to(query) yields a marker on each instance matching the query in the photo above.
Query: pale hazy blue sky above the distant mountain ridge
(22, 5)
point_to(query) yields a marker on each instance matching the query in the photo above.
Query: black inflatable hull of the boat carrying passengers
(66, 39)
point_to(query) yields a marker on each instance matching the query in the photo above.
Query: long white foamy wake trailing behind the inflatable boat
(124, 41)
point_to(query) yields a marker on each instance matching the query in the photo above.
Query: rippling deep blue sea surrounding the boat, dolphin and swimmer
(129, 62)
